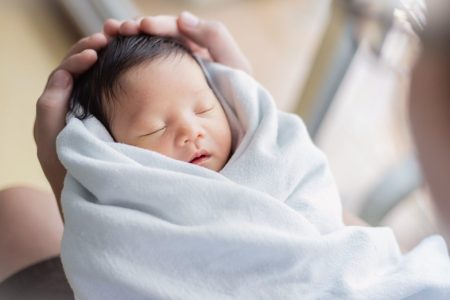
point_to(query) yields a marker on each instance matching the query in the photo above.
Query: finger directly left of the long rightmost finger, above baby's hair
(160, 25)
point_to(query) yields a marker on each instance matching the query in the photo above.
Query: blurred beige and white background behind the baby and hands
(343, 65)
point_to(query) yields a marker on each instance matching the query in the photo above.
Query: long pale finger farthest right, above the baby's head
(216, 38)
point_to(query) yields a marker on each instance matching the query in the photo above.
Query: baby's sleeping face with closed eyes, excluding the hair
(167, 106)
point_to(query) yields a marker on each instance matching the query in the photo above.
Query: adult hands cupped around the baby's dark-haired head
(206, 38)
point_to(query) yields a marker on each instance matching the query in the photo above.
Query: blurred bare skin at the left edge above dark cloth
(34, 236)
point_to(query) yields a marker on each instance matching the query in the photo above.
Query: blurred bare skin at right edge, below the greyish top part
(430, 120)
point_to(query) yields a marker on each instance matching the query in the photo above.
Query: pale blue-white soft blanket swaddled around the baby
(140, 225)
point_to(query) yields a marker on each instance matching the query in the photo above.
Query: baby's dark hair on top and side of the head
(95, 90)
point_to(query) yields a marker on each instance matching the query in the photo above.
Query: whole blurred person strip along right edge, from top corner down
(429, 108)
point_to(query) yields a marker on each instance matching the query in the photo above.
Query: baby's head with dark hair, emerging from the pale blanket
(151, 93)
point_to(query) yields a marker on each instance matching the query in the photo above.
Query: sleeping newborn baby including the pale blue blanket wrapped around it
(184, 181)
